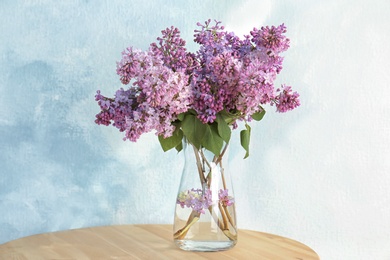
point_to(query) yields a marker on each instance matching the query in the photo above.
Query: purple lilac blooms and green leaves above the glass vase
(199, 96)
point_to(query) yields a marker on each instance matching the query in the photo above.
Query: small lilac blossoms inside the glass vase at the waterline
(200, 201)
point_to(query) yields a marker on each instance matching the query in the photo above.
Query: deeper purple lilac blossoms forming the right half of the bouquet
(238, 75)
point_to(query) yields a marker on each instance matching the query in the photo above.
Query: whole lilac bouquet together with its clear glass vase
(198, 99)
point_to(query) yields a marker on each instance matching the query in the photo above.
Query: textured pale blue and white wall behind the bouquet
(319, 174)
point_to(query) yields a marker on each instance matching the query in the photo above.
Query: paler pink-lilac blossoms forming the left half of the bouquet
(158, 94)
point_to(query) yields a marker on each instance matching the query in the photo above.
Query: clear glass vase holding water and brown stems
(205, 215)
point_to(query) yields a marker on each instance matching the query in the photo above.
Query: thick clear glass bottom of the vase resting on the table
(204, 246)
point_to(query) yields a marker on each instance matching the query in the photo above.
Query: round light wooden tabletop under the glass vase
(145, 242)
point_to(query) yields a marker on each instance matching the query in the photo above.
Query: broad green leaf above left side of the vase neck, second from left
(193, 129)
